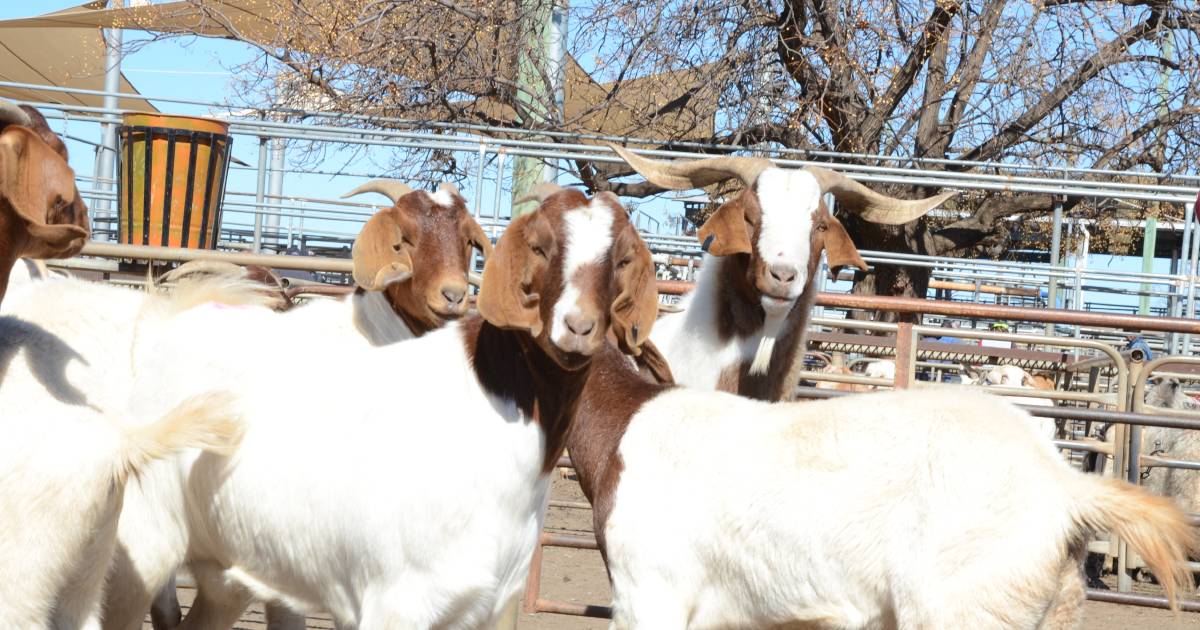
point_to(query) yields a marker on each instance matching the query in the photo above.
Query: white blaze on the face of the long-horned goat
(788, 200)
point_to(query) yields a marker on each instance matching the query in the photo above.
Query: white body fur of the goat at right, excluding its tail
(879, 511)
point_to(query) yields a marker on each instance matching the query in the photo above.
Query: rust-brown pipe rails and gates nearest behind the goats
(1119, 404)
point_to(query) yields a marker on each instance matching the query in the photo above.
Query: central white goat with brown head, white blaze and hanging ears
(388, 533)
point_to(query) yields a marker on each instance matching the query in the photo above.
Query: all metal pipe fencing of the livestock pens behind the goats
(1101, 385)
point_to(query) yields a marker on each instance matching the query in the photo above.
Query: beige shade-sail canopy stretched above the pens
(601, 109)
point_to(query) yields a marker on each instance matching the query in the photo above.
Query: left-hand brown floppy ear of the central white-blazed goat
(505, 297)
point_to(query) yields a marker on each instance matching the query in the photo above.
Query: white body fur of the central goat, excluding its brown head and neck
(343, 536)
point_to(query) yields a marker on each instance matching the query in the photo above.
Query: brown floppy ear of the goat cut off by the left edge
(32, 178)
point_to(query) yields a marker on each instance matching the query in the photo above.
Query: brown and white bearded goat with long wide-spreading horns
(742, 329)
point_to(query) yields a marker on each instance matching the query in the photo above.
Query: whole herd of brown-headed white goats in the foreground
(394, 469)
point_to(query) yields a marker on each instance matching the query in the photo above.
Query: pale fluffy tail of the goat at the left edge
(208, 422)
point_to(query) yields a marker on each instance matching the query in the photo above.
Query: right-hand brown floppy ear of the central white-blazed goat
(637, 307)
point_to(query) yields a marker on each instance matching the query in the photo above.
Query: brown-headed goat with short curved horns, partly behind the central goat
(411, 265)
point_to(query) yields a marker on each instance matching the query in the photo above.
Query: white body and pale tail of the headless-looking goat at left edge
(68, 447)
